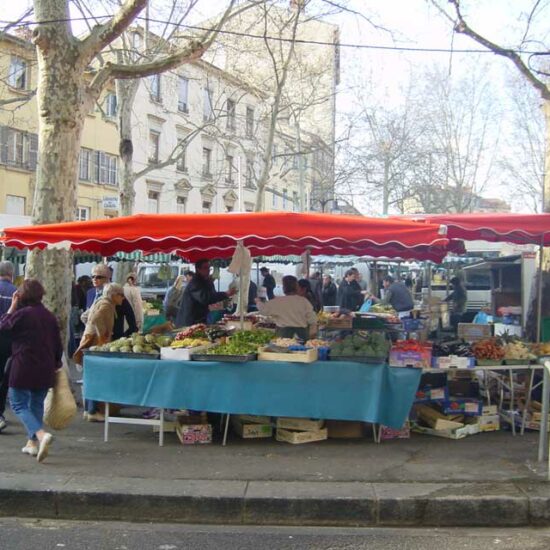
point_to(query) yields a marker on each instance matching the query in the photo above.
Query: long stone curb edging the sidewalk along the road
(346, 504)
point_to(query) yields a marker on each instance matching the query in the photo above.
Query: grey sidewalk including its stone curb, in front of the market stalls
(488, 479)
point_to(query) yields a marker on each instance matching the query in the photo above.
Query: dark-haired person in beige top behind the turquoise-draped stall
(293, 314)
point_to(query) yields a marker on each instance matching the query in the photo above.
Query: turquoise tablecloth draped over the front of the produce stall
(325, 389)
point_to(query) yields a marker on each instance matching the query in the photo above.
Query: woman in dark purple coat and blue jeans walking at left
(36, 355)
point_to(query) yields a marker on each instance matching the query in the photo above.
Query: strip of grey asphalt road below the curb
(22, 534)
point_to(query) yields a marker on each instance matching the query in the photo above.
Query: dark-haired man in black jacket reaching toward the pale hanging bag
(198, 295)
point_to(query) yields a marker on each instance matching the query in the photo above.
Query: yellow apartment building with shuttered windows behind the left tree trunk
(98, 174)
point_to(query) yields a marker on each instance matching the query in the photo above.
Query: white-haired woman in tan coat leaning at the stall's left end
(98, 331)
